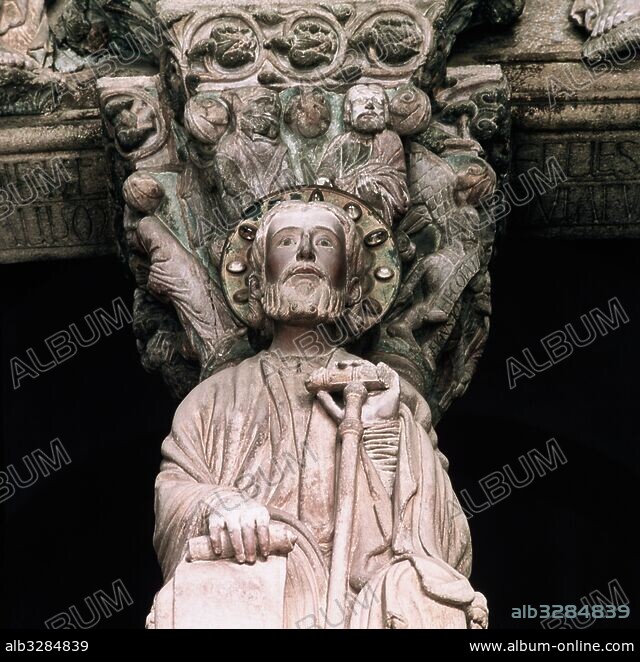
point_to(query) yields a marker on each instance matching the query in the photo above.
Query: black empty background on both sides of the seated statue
(564, 536)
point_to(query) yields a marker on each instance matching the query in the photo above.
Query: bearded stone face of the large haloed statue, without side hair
(305, 266)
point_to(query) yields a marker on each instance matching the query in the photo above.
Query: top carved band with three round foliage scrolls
(244, 44)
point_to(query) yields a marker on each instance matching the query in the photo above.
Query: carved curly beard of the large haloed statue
(297, 299)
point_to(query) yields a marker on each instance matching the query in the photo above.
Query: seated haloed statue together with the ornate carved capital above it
(305, 203)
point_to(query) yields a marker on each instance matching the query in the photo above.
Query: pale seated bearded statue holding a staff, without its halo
(254, 448)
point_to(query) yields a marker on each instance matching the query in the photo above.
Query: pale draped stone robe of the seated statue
(255, 427)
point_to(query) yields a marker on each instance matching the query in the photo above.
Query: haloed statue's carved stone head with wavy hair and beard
(307, 264)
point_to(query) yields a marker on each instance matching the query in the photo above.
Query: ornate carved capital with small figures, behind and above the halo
(252, 107)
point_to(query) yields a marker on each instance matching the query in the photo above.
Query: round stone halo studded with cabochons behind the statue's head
(376, 236)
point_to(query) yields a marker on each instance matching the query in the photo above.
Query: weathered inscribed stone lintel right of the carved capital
(577, 125)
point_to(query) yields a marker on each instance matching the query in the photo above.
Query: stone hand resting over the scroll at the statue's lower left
(244, 520)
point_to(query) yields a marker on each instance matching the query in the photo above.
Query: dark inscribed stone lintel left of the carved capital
(53, 188)
